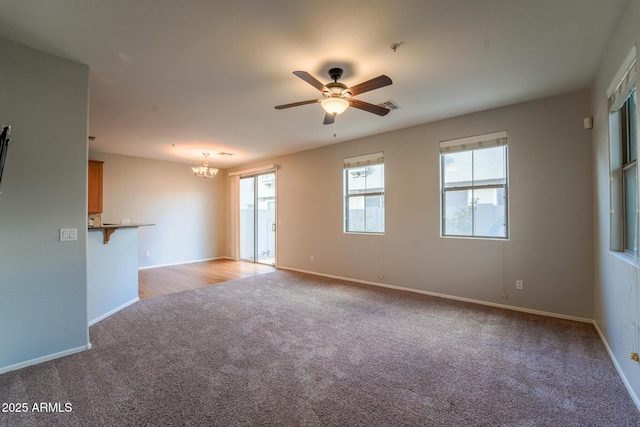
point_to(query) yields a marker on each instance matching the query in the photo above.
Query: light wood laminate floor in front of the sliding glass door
(176, 278)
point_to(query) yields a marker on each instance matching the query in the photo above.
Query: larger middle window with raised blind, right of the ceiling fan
(474, 186)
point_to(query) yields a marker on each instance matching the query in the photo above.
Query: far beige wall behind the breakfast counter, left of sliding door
(188, 212)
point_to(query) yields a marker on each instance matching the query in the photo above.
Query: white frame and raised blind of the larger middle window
(473, 144)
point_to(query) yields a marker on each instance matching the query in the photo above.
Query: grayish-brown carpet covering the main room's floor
(289, 349)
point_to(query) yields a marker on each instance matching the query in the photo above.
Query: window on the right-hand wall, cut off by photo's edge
(624, 157)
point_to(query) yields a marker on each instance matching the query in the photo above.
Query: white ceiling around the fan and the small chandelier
(172, 79)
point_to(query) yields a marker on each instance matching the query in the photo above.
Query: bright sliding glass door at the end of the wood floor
(257, 227)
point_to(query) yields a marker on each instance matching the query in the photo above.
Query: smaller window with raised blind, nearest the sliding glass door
(364, 194)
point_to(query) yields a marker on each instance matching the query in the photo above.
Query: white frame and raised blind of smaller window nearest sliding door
(350, 165)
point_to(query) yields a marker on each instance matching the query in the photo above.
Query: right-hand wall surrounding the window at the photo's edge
(615, 275)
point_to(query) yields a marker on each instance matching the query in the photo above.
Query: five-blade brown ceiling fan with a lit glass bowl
(337, 97)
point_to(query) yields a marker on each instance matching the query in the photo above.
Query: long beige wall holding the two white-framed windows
(551, 241)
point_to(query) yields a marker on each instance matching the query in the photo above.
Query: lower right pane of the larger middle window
(490, 212)
